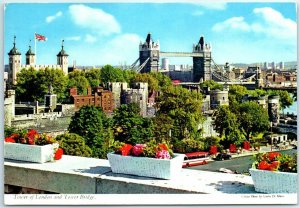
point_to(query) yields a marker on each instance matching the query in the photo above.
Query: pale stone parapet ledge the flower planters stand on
(80, 175)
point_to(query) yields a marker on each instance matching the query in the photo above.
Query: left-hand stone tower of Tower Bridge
(149, 51)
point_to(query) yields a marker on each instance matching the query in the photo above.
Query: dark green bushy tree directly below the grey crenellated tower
(130, 127)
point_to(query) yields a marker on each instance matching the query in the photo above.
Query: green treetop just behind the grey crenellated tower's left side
(111, 74)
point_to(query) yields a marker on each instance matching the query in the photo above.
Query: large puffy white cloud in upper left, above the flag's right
(97, 20)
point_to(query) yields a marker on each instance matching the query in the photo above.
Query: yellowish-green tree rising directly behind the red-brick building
(77, 79)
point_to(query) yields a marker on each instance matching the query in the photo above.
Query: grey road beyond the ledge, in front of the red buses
(240, 164)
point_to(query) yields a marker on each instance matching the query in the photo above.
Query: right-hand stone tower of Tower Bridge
(202, 65)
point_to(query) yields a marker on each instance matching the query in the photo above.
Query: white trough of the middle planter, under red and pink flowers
(144, 166)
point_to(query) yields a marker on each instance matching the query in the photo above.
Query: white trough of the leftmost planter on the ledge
(29, 153)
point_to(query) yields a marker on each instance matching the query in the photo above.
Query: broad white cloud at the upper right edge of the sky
(270, 23)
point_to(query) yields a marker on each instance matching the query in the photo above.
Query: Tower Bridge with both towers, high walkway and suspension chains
(204, 67)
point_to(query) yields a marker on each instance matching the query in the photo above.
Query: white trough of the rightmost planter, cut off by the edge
(274, 182)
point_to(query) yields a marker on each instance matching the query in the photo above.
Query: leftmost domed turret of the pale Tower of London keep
(14, 64)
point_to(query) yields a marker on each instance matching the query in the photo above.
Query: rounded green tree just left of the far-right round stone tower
(253, 118)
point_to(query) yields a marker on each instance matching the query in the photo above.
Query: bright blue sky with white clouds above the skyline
(110, 33)
